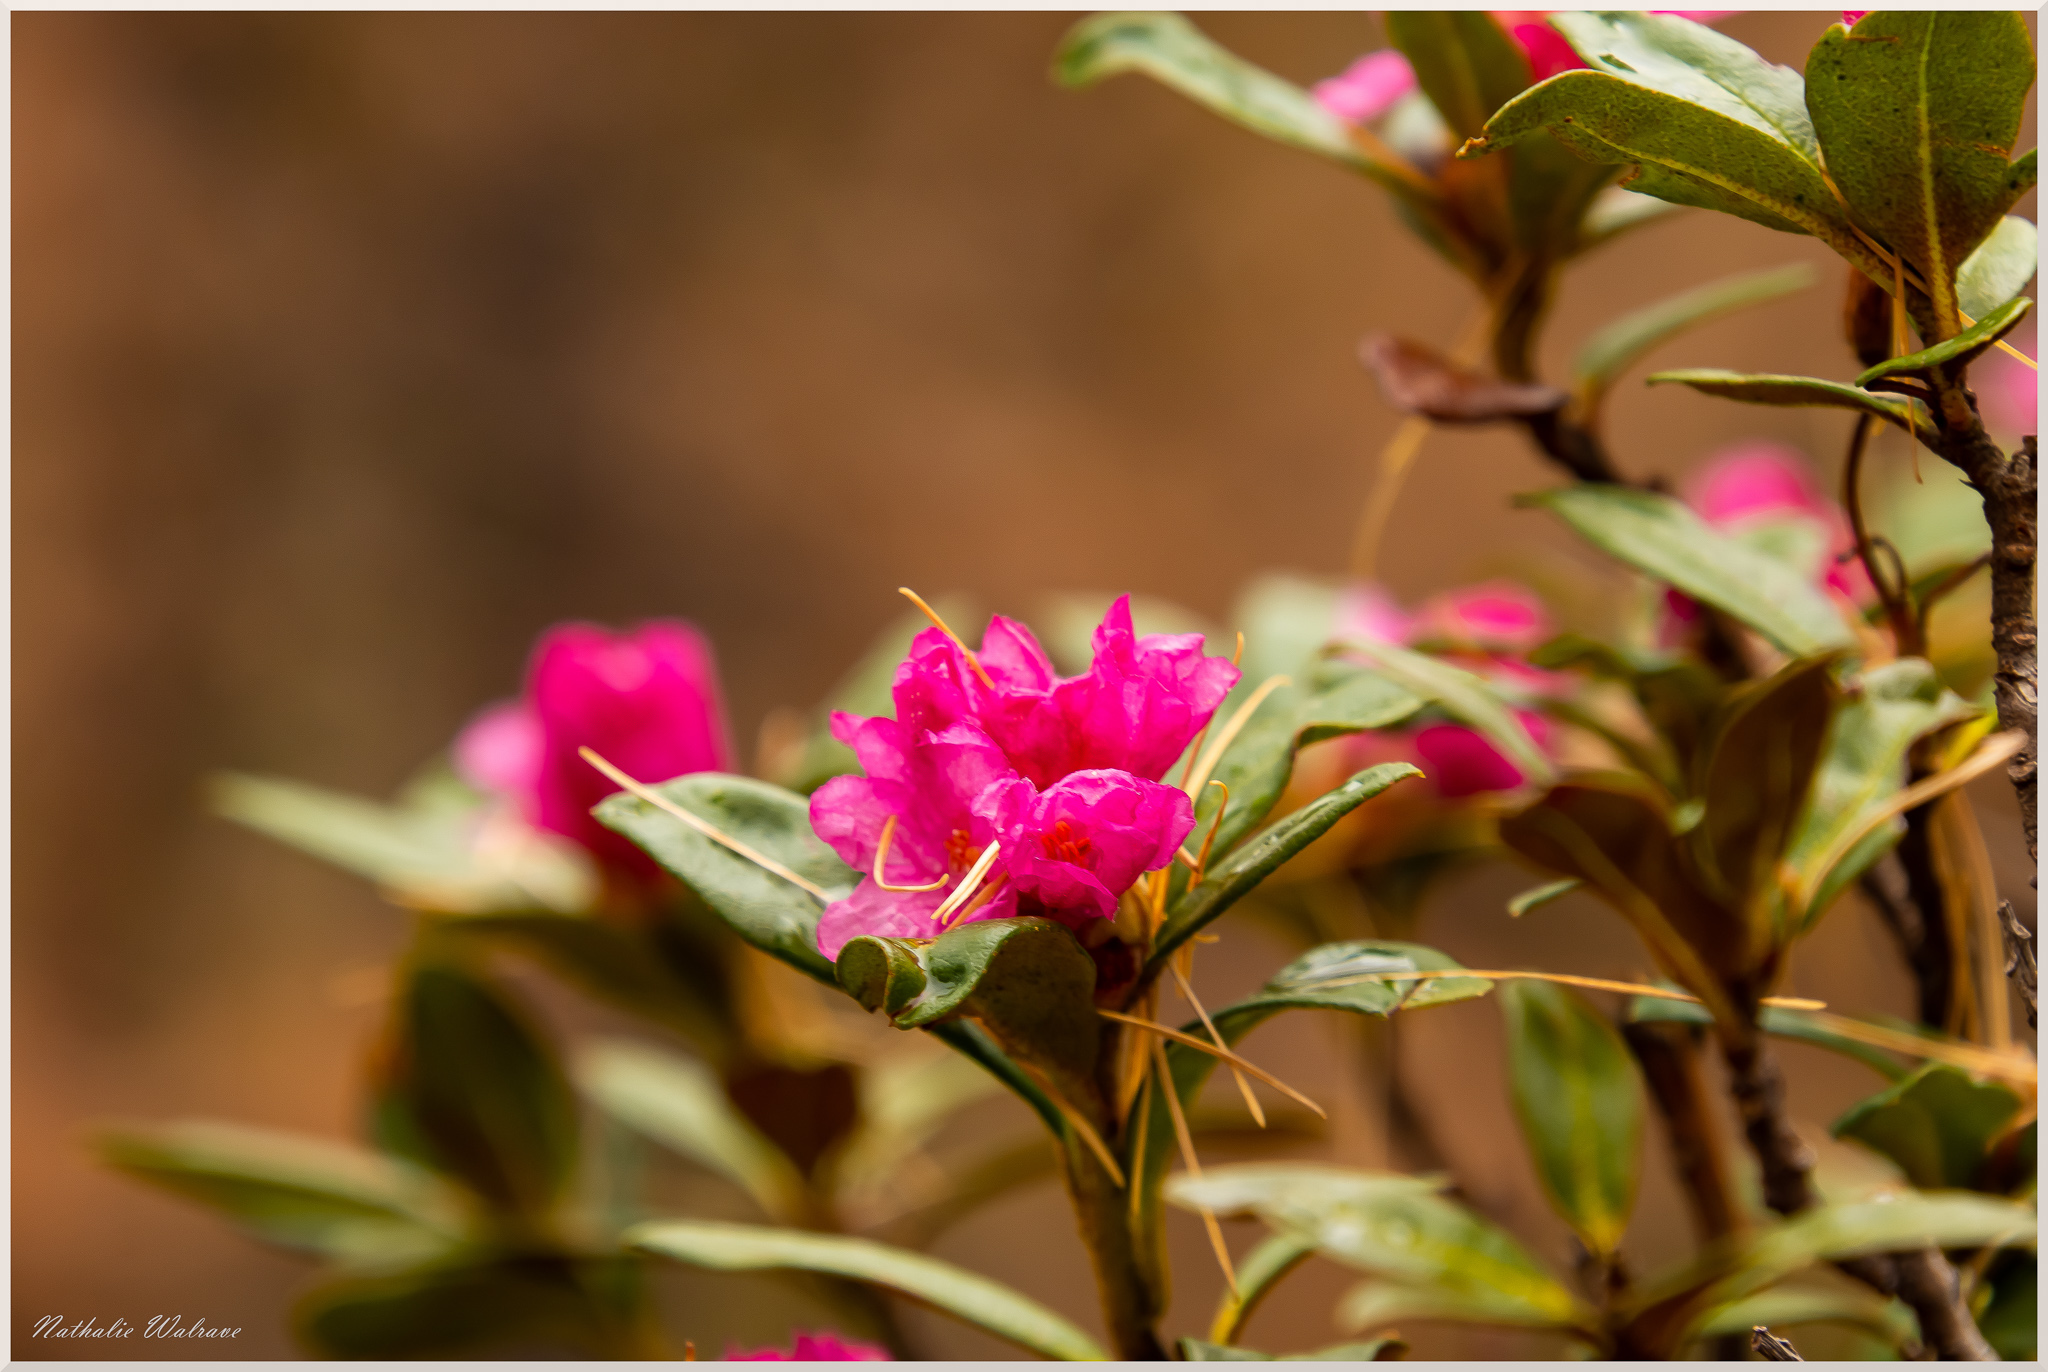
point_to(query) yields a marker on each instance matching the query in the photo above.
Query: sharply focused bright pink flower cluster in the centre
(996, 751)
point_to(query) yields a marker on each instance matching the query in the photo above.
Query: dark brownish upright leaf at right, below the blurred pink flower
(1754, 781)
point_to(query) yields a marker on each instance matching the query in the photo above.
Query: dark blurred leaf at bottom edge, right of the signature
(521, 1307)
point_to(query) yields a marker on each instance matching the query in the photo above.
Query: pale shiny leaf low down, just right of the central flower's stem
(1400, 1230)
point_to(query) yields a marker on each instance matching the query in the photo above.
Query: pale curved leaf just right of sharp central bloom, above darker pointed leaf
(1261, 761)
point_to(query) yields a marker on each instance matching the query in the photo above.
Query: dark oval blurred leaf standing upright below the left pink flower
(480, 1090)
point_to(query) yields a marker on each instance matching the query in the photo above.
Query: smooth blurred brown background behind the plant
(351, 351)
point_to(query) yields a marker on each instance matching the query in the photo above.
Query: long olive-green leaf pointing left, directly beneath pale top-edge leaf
(1682, 153)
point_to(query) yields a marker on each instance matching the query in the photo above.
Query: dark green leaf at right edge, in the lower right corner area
(1938, 1125)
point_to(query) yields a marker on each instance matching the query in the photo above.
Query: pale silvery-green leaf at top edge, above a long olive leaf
(1697, 65)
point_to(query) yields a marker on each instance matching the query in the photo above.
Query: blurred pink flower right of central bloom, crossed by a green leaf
(1484, 630)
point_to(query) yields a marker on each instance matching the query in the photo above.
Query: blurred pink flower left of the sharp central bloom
(646, 699)
